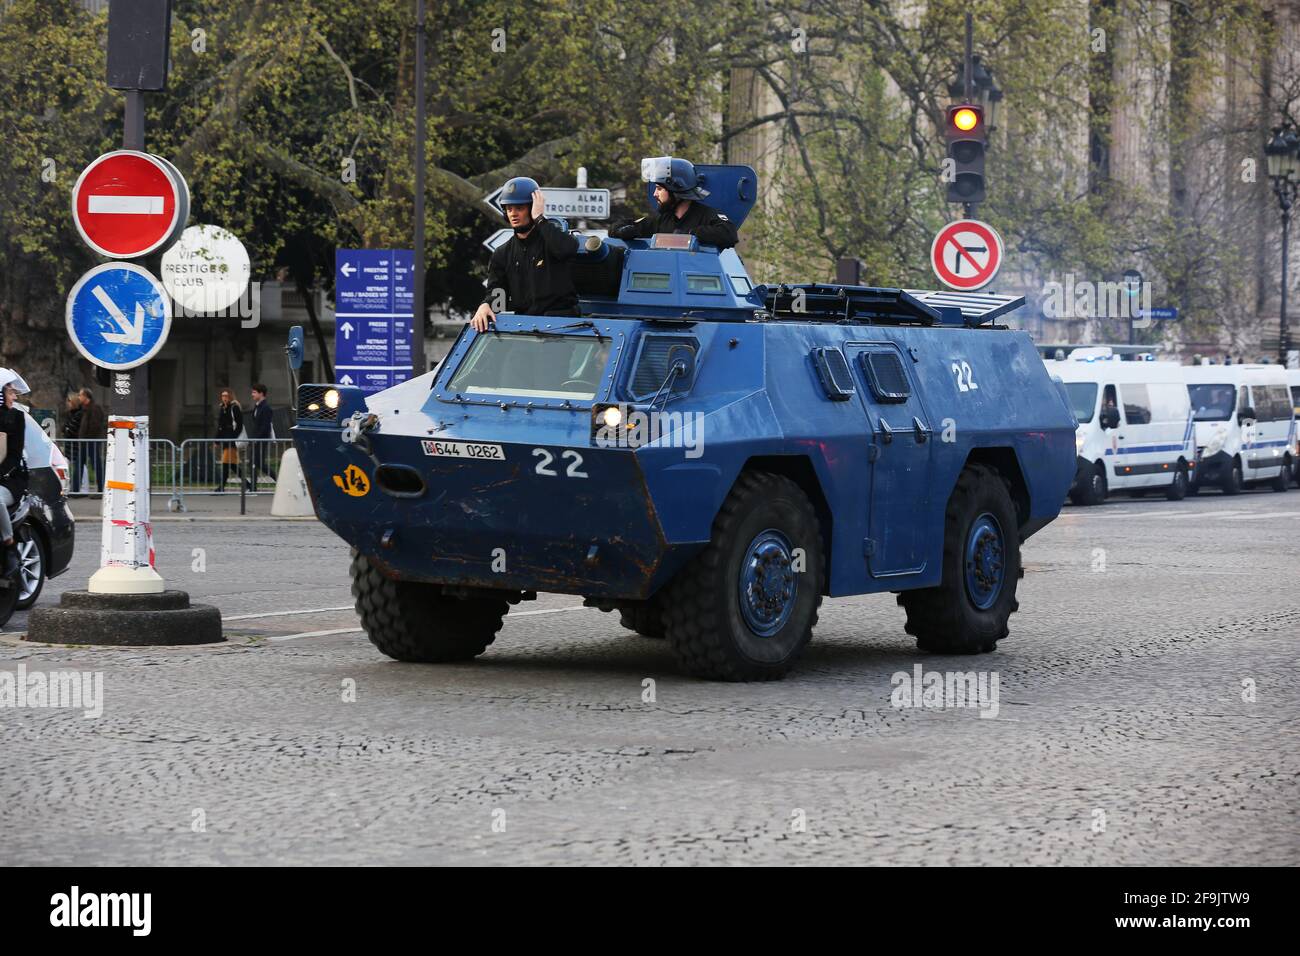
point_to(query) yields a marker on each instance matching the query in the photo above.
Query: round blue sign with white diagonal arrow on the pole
(119, 315)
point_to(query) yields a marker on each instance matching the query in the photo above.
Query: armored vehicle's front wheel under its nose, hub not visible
(415, 622)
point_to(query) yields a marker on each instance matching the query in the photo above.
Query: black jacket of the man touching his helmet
(538, 272)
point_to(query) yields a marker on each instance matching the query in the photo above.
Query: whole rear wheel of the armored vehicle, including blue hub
(968, 613)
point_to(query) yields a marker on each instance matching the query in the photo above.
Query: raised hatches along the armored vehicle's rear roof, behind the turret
(844, 304)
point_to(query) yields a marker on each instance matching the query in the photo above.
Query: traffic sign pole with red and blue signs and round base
(122, 317)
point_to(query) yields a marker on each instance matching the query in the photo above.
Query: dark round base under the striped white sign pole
(125, 620)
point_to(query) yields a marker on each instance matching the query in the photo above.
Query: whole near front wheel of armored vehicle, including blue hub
(744, 608)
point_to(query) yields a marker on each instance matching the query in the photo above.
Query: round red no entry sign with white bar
(128, 205)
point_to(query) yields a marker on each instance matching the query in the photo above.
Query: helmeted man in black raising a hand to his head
(535, 267)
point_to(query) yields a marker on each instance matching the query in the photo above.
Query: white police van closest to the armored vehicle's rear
(1136, 426)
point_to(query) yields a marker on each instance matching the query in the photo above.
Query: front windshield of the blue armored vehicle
(565, 367)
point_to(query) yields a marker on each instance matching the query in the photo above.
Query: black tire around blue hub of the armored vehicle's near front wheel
(701, 607)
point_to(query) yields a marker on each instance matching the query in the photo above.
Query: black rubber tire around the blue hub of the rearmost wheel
(944, 620)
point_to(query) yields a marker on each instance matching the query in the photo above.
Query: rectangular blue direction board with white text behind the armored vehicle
(374, 296)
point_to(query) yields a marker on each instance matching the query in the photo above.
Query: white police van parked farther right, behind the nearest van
(1245, 426)
